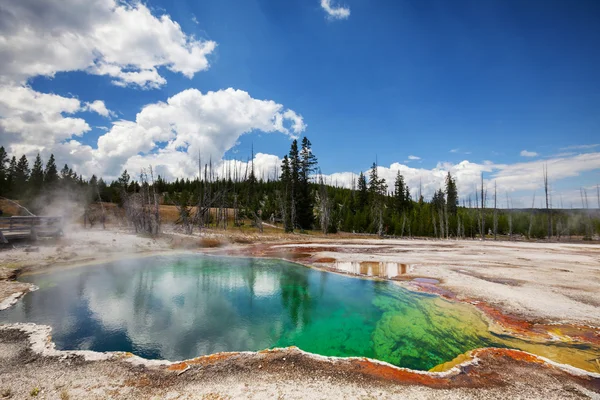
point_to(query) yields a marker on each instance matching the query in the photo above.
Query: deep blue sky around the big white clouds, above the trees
(443, 81)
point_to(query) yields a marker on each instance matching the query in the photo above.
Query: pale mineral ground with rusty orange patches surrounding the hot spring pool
(546, 289)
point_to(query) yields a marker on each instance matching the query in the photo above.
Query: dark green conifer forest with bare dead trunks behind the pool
(299, 200)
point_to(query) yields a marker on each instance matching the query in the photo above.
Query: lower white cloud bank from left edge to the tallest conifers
(169, 135)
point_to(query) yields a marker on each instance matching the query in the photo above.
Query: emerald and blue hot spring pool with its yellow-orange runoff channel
(180, 307)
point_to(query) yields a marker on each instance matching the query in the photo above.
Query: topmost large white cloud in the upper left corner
(104, 37)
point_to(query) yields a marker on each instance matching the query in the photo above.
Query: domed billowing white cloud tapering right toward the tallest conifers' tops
(192, 124)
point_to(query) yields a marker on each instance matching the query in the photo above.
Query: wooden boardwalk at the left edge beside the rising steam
(29, 227)
